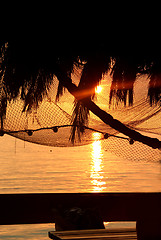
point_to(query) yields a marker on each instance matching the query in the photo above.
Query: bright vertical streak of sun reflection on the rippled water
(97, 178)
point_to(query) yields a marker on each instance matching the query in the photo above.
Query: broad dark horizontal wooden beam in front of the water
(37, 207)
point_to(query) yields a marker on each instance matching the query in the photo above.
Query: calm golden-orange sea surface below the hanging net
(30, 168)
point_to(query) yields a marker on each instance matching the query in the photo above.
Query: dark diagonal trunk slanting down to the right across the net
(105, 117)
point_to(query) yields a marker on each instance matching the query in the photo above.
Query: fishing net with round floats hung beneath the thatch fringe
(50, 123)
